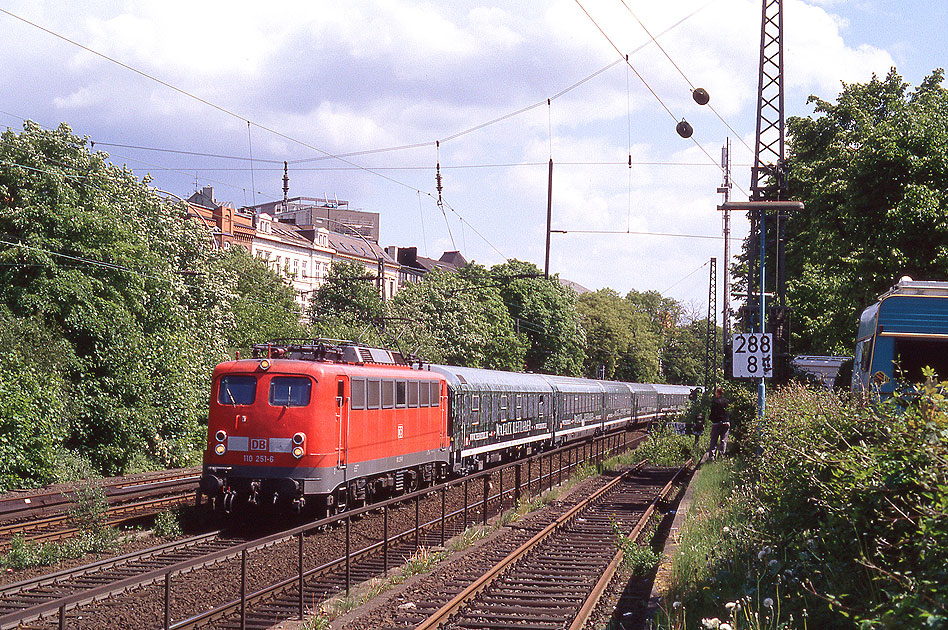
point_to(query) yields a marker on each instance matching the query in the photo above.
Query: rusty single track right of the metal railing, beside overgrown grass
(552, 576)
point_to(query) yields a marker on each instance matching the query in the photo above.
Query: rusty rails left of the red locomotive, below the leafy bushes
(43, 516)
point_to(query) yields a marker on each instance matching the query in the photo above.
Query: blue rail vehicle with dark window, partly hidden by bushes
(903, 332)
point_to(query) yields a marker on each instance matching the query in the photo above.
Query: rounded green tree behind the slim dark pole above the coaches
(545, 311)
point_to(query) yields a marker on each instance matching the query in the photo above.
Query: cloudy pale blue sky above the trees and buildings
(315, 79)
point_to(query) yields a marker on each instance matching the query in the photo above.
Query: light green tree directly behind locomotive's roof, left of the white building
(264, 306)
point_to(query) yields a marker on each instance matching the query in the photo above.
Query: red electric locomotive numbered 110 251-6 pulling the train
(342, 423)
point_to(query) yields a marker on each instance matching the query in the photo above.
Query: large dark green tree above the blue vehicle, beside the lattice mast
(872, 171)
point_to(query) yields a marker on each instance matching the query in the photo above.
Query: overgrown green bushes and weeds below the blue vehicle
(835, 516)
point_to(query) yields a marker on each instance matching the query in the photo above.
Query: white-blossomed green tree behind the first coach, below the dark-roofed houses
(460, 319)
